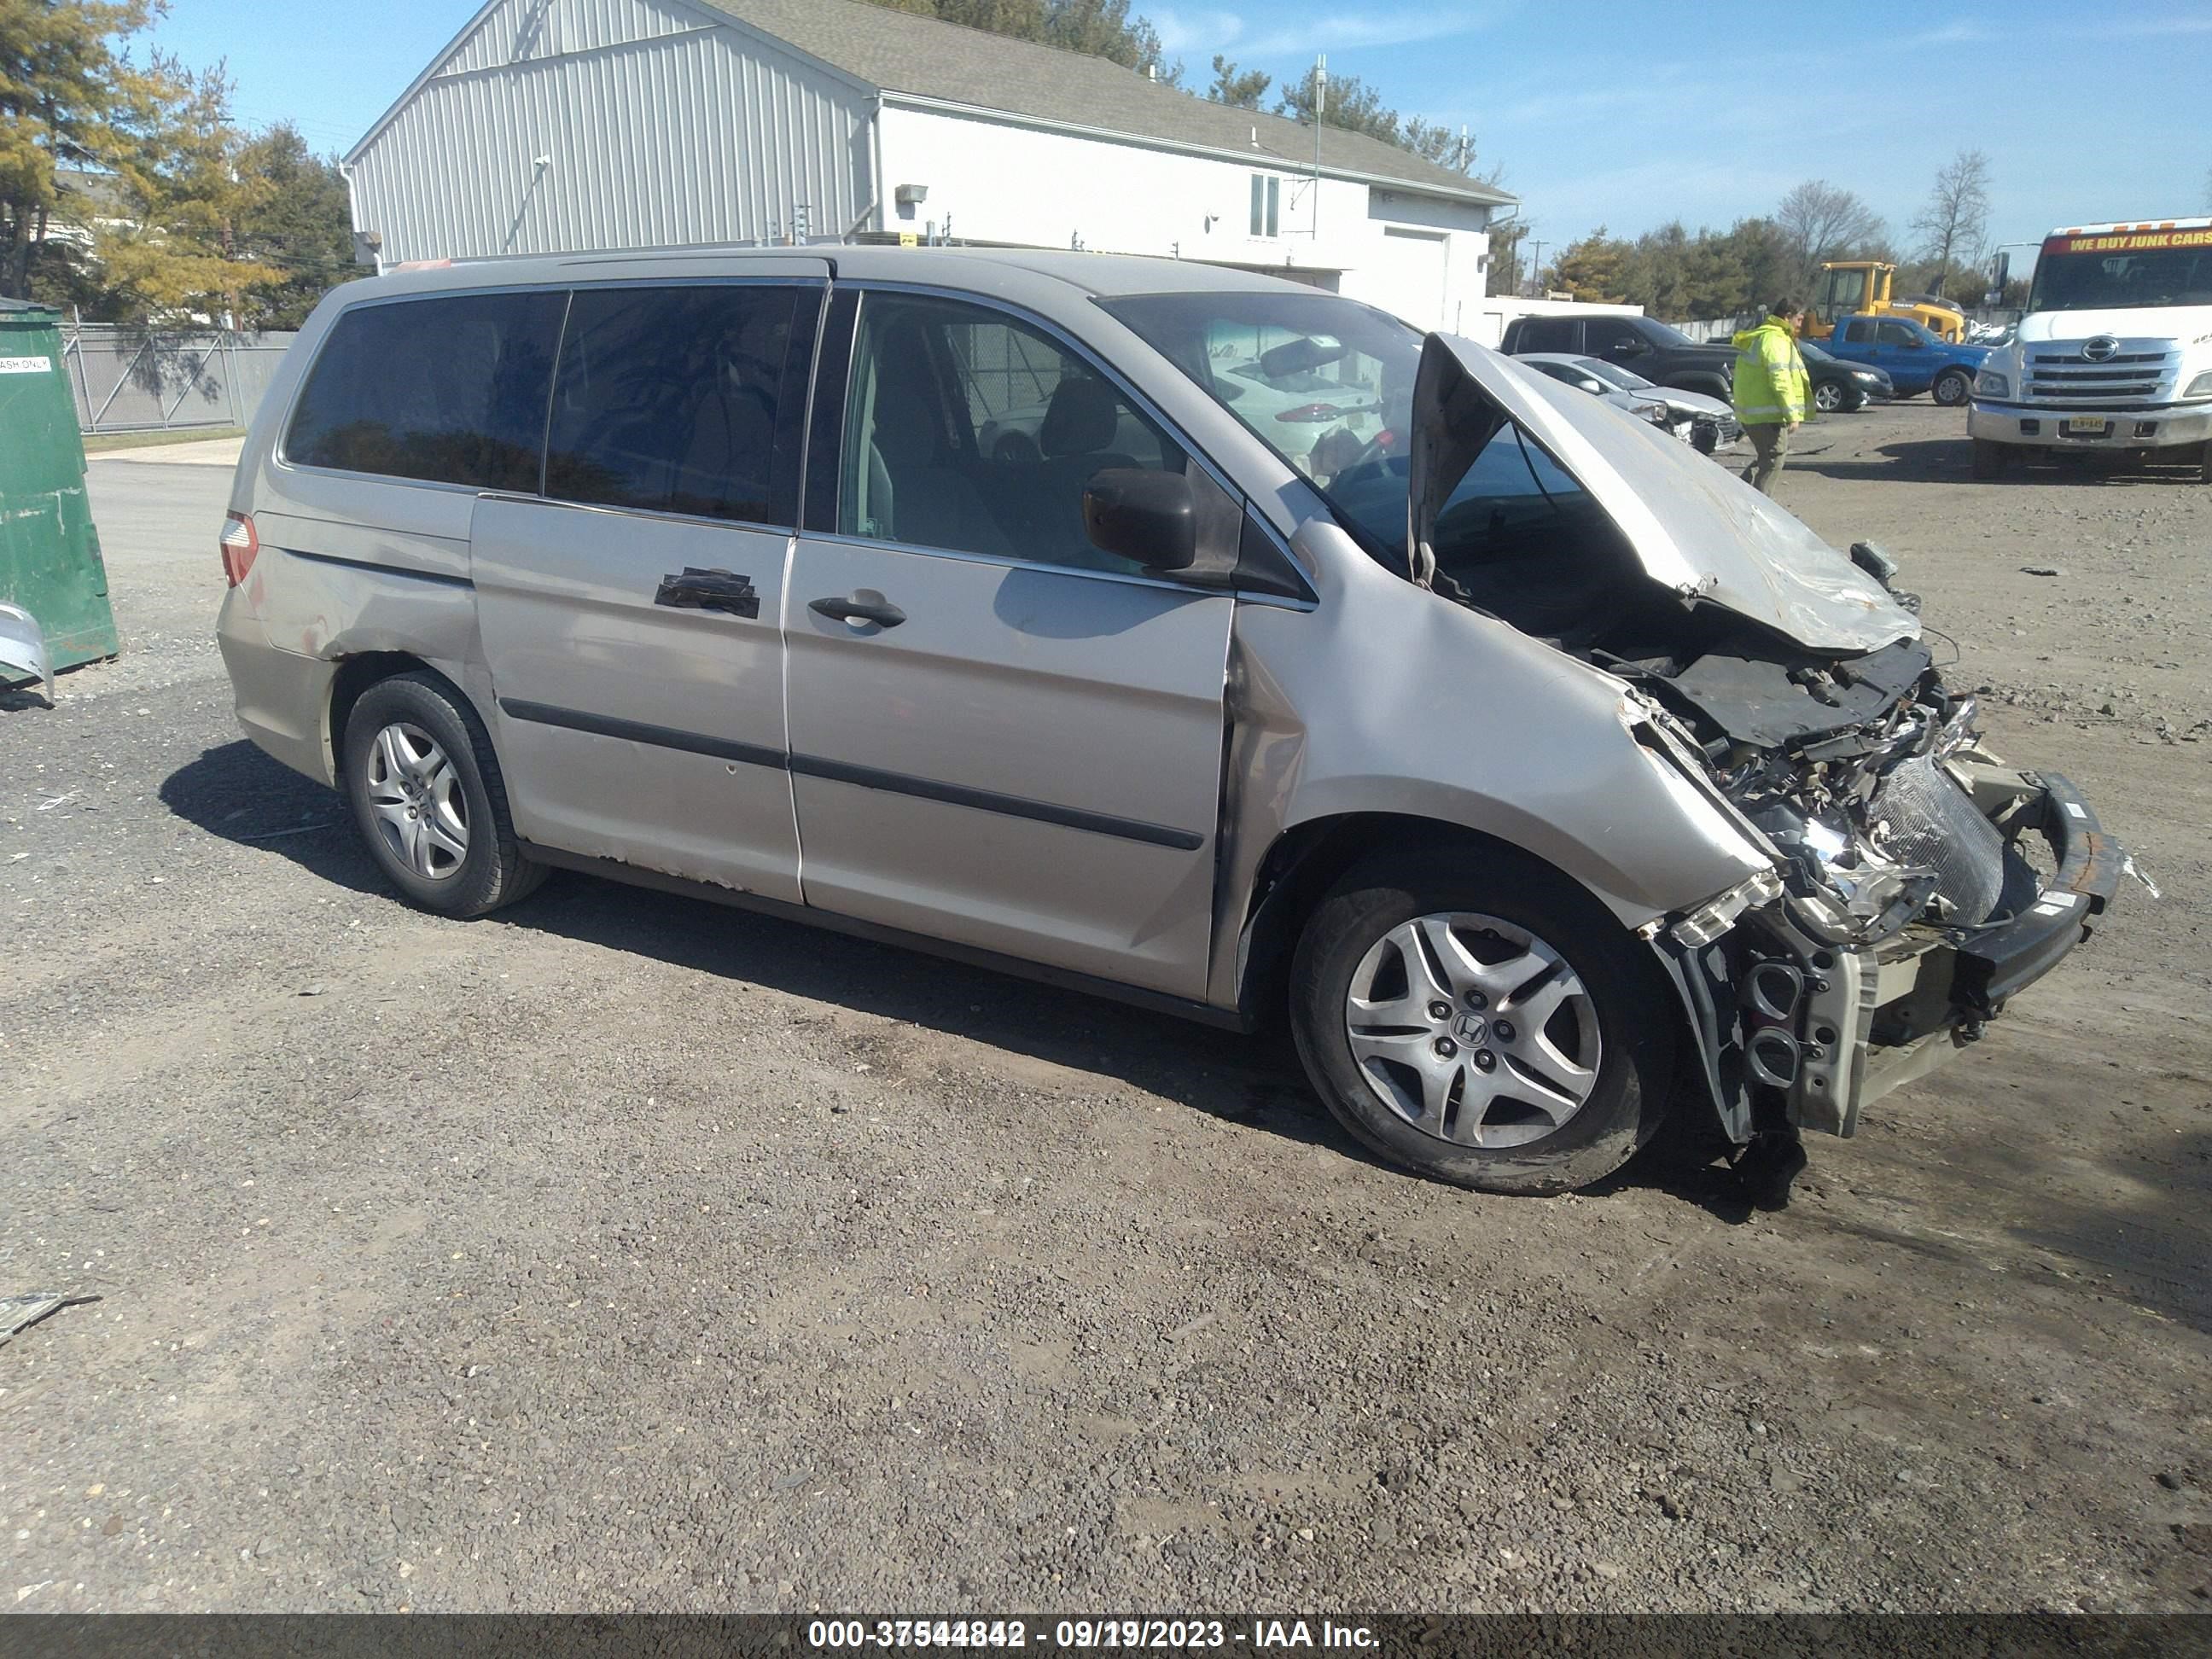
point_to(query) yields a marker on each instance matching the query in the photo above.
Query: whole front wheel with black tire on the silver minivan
(1481, 1021)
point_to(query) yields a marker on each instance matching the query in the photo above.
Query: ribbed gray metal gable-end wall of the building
(689, 136)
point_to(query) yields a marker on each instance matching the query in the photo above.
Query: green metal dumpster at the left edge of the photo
(50, 552)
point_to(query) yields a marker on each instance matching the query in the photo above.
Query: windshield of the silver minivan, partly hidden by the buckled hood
(1519, 539)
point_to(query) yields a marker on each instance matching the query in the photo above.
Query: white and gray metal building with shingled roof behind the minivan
(601, 125)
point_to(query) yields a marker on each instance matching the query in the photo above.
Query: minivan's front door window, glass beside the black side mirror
(974, 432)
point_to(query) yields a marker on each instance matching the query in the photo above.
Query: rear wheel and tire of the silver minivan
(430, 802)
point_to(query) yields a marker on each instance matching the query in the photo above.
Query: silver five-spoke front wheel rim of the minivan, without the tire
(1474, 1030)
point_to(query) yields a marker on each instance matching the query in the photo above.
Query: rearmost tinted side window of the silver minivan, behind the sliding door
(450, 390)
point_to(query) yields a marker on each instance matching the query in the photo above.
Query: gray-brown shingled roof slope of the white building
(901, 52)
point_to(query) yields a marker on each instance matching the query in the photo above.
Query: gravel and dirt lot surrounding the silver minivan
(632, 1253)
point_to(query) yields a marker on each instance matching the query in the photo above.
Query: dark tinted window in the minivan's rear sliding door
(680, 401)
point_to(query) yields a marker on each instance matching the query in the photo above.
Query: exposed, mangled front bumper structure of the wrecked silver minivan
(1797, 1032)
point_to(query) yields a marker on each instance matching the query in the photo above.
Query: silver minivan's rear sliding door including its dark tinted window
(632, 614)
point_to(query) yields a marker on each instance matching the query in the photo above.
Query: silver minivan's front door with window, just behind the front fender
(1001, 735)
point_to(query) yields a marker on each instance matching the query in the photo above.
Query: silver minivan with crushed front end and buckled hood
(1547, 778)
